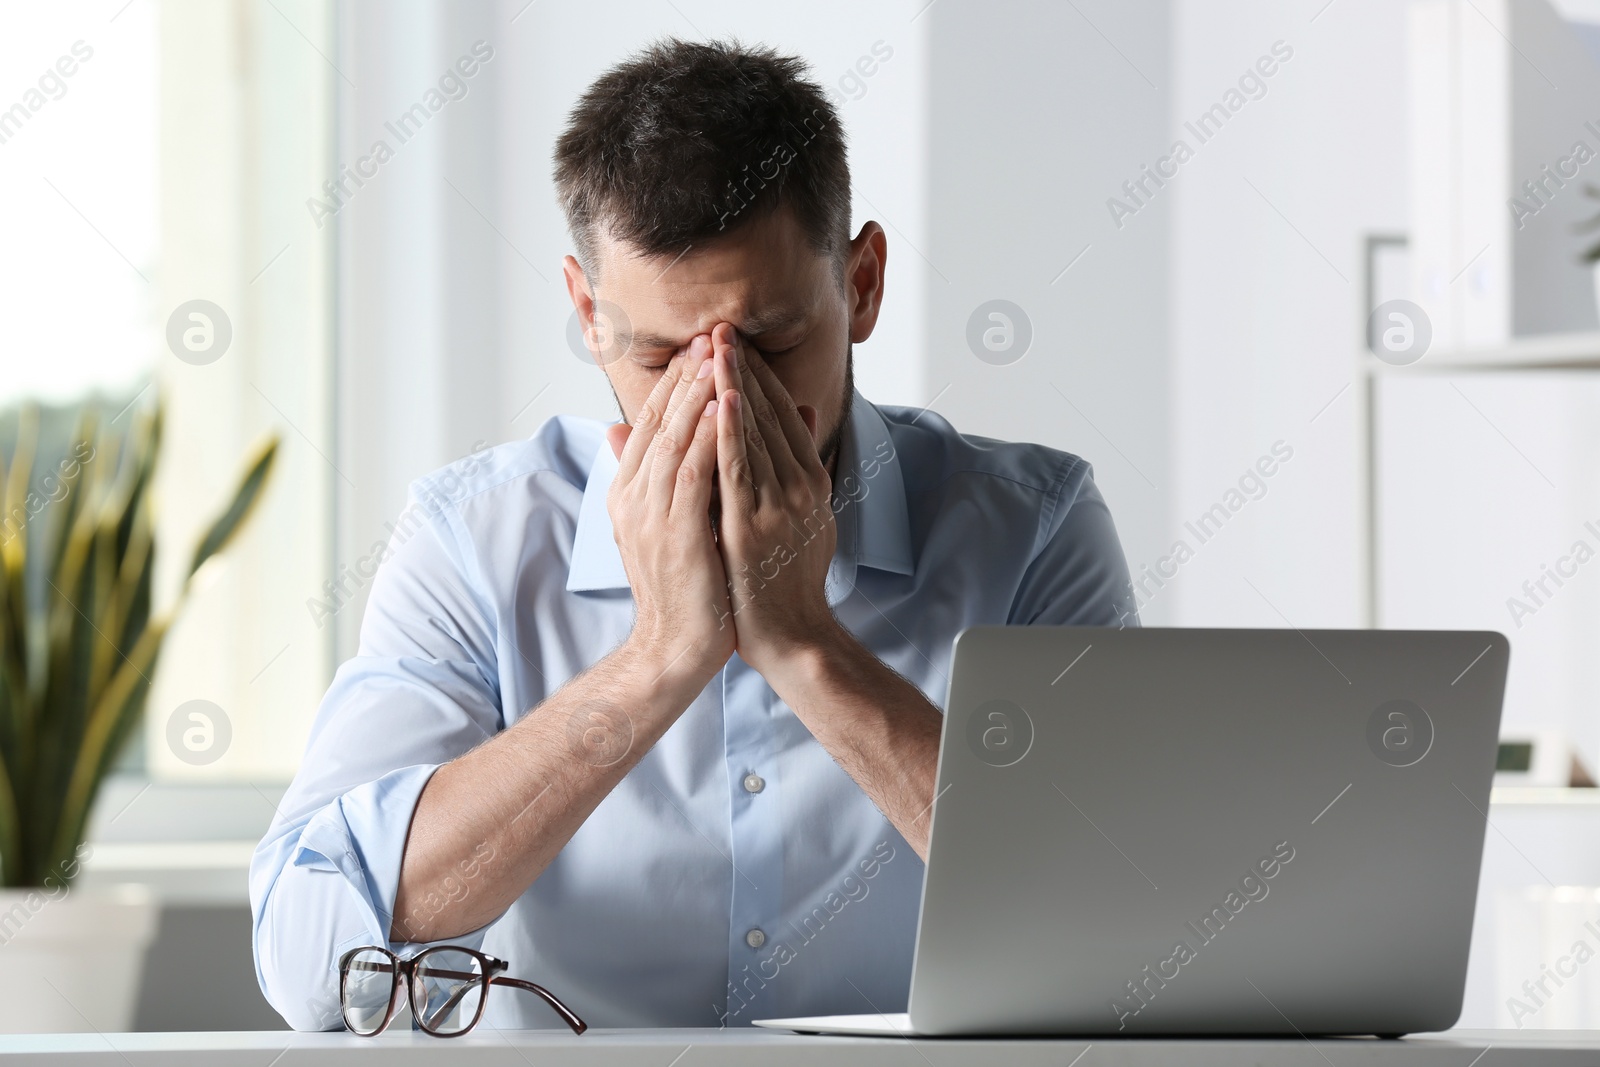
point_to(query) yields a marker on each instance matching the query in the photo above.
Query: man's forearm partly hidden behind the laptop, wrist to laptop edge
(876, 725)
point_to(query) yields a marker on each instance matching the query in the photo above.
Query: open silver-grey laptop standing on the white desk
(1185, 831)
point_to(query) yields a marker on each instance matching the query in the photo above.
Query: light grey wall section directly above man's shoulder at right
(1038, 114)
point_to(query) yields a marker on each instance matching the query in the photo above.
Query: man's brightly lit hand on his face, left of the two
(660, 505)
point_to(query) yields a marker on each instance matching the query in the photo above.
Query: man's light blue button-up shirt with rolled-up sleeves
(737, 873)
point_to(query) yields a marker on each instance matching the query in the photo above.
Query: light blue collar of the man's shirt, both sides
(870, 506)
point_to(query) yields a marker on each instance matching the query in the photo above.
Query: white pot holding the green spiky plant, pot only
(71, 962)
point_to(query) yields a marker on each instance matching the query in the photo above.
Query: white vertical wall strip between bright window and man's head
(420, 276)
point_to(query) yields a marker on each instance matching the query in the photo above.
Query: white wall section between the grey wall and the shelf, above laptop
(1270, 222)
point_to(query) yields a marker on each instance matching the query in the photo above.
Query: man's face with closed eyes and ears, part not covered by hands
(767, 281)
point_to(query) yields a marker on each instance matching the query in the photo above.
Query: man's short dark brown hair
(686, 142)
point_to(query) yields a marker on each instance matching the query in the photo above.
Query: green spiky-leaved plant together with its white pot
(78, 650)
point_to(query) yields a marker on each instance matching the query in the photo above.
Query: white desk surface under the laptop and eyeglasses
(758, 1049)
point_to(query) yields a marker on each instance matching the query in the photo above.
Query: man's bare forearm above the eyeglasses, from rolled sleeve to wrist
(489, 823)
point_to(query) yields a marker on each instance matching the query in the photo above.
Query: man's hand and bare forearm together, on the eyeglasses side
(526, 793)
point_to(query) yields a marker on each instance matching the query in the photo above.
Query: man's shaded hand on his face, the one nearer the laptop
(777, 530)
